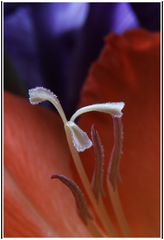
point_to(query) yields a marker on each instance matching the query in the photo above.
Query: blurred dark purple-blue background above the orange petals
(54, 44)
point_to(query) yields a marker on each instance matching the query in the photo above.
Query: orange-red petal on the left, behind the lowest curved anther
(36, 148)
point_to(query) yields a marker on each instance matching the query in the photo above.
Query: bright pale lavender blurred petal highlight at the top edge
(59, 18)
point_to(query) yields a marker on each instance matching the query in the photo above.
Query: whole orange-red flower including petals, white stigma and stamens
(36, 148)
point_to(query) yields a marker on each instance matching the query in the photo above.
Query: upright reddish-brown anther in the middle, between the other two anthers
(97, 180)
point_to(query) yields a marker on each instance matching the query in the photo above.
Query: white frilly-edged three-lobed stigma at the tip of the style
(79, 138)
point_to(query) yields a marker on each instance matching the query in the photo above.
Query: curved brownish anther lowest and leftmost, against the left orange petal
(81, 204)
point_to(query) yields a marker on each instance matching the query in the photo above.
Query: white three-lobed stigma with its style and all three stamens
(79, 141)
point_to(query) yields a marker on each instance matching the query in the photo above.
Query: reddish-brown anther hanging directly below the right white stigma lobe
(116, 152)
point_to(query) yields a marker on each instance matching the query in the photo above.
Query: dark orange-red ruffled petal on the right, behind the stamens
(128, 70)
